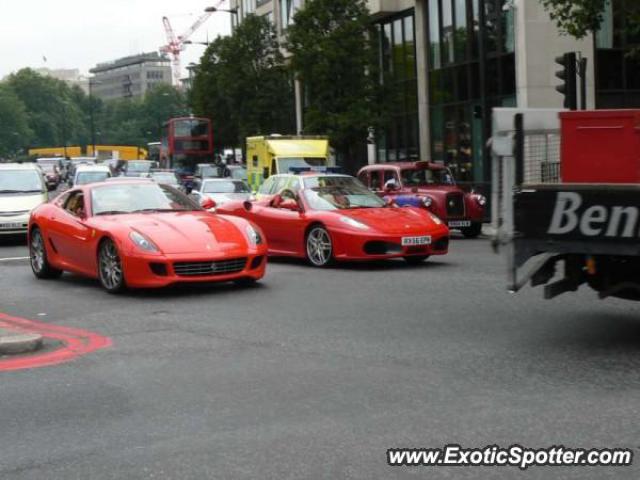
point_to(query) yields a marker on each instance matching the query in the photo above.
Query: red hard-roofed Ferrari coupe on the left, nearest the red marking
(141, 234)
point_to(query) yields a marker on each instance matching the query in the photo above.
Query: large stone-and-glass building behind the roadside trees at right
(452, 61)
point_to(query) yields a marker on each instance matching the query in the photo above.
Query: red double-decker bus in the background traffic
(186, 141)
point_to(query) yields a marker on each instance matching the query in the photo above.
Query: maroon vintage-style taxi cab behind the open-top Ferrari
(431, 186)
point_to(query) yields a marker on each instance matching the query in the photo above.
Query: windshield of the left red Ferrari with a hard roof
(113, 199)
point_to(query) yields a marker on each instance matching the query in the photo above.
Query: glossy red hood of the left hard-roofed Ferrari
(186, 232)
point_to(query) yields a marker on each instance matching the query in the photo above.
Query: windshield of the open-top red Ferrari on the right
(339, 193)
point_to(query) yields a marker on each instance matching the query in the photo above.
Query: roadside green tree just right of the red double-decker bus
(243, 85)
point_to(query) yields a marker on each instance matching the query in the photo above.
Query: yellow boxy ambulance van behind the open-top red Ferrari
(277, 154)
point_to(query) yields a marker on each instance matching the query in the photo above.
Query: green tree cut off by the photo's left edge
(15, 132)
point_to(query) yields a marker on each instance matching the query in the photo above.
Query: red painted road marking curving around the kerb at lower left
(75, 343)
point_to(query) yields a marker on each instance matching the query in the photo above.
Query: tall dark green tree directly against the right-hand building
(333, 56)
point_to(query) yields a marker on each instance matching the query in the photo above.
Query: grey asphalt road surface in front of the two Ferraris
(315, 374)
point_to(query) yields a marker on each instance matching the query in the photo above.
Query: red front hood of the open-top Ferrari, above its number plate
(391, 220)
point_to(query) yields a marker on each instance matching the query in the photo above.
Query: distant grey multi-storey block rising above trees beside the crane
(130, 76)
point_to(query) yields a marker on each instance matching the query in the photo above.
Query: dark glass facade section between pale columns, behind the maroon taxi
(471, 70)
